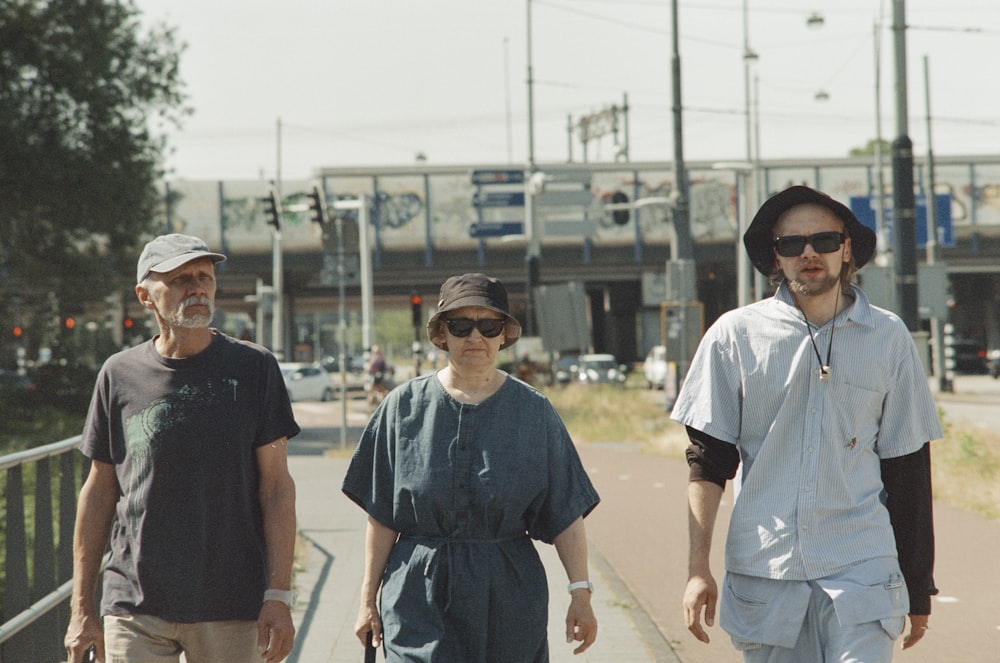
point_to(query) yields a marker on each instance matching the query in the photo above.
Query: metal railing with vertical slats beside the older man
(35, 604)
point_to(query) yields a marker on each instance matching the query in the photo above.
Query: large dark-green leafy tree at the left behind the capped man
(86, 94)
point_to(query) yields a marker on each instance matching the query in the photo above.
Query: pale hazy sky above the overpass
(289, 87)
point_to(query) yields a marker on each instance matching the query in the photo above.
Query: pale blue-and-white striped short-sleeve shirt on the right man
(811, 502)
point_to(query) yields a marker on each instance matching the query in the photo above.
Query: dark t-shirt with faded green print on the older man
(187, 544)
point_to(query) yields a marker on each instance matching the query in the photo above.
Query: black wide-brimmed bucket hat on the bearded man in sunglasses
(759, 238)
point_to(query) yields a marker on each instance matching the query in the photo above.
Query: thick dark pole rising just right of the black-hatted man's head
(904, 206)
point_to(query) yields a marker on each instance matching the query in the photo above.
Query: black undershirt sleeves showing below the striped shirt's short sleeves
(907, 481)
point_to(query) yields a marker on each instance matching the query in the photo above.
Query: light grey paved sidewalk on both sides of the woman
(330, 561)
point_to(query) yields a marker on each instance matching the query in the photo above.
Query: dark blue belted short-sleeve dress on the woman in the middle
(467, 487)
